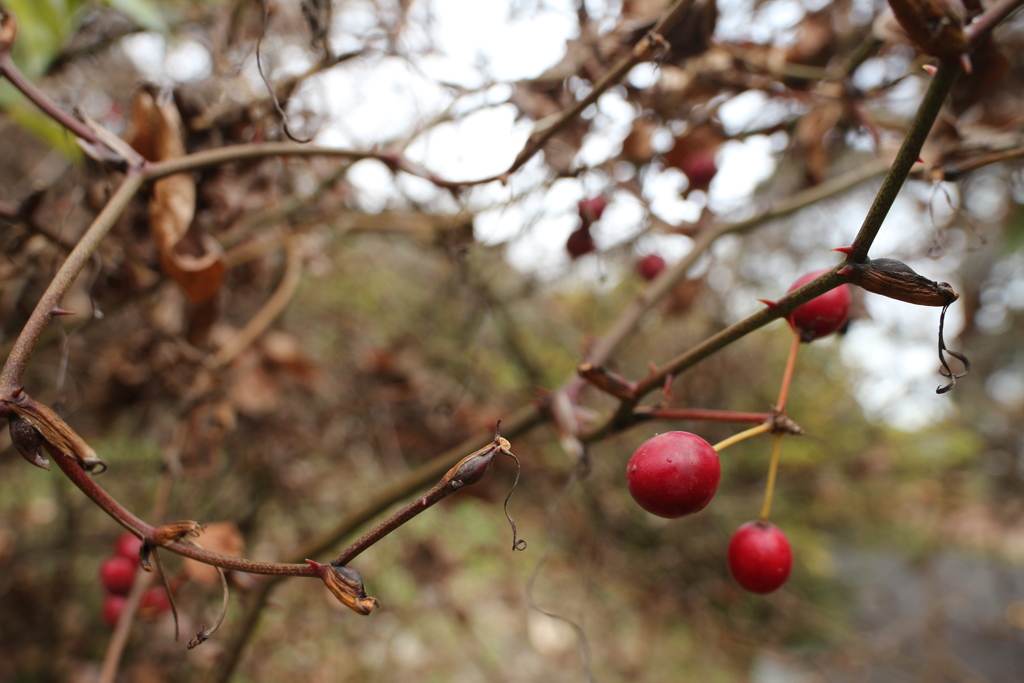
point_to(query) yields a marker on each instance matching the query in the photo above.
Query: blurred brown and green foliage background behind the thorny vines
(419, 322)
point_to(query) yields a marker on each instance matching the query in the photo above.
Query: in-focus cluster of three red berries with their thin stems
(677, 474)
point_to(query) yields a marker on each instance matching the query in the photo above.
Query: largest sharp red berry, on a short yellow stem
(674, 475)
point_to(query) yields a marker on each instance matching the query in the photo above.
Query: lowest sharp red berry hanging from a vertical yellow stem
(760, 558)
